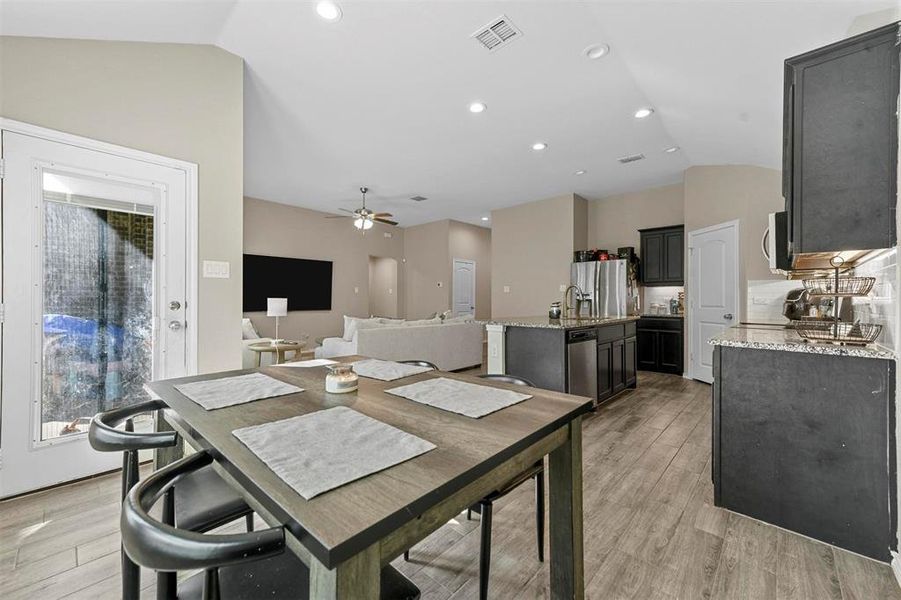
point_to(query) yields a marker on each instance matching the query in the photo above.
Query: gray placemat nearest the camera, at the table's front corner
(321, 451)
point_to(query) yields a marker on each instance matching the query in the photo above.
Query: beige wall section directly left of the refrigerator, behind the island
(531, 252)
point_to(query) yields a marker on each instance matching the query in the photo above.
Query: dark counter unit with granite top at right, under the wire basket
(803, 436)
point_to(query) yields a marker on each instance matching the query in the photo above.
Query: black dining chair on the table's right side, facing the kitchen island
(485, 505)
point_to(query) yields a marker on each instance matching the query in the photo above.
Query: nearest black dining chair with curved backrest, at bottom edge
(245, 566)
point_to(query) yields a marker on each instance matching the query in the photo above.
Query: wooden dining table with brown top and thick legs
(348, 534)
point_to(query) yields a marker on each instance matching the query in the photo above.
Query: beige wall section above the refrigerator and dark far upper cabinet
(614, 221)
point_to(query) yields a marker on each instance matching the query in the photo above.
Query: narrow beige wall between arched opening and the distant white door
(428, 276)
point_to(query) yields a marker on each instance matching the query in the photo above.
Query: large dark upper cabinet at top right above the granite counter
(840, 144)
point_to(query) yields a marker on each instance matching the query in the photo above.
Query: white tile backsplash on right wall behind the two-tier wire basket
(881, 306)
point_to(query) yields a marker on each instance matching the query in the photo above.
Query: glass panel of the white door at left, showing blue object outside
(97, 304)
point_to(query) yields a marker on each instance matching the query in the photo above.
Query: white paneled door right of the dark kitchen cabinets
(713, 291)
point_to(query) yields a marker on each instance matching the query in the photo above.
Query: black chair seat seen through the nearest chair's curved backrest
(204, 501)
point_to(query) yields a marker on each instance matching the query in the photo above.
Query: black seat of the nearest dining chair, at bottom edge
(283, 577)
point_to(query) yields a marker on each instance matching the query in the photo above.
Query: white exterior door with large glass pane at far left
(94, 293)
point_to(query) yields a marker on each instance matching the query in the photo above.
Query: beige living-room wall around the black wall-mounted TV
(279, 230)
